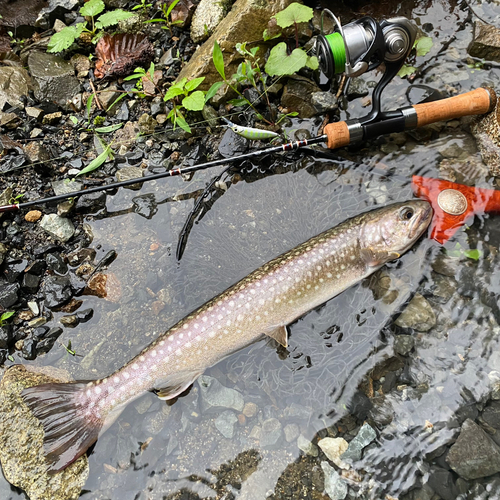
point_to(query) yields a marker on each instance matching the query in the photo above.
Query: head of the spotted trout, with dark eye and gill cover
(392, 230)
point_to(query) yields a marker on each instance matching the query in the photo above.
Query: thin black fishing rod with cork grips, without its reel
(337, 135)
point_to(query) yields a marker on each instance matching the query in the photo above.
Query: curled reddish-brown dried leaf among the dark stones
(119, 55)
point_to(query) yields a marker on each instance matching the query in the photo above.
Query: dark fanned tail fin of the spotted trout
(70, 428)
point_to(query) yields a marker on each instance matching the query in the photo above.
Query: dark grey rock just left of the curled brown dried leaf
(54, 78)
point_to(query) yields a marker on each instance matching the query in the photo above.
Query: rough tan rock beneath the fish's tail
(21, 444)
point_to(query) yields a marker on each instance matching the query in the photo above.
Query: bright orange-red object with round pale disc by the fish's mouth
(453, 204)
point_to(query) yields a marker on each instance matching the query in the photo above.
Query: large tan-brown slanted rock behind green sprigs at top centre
(246, 21)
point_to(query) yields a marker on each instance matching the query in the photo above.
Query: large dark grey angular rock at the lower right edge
(474, 454)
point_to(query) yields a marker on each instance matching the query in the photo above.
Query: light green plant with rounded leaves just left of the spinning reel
(280, 61)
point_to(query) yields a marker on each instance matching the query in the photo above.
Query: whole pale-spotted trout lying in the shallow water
(263, 303)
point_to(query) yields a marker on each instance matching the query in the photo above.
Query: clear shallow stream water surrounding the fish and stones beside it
(155, 451)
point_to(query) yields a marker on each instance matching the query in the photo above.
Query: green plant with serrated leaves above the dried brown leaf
(63, 40)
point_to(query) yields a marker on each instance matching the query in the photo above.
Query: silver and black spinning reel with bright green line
(364, 45)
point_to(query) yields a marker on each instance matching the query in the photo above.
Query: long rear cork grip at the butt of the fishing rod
(475, 102)
